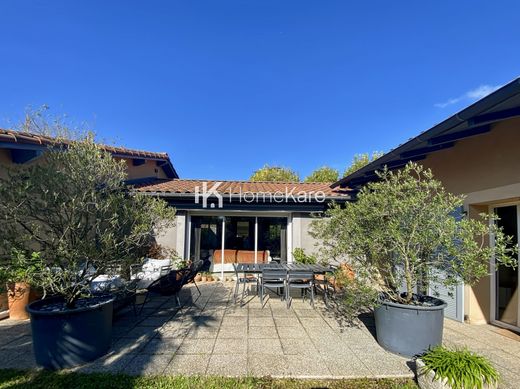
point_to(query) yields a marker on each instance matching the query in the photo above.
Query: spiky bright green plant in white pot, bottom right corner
(442, 368)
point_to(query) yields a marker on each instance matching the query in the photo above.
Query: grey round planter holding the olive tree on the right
(409, 330)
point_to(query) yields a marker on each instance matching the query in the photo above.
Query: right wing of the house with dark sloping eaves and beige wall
(476, 153)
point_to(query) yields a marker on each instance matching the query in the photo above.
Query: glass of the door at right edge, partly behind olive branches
(506, 279)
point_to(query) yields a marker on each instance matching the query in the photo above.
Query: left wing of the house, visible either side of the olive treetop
(20, 148)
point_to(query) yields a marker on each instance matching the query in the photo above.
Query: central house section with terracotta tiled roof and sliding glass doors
(224, 222)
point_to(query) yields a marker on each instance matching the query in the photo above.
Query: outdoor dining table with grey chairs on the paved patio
(282, 278)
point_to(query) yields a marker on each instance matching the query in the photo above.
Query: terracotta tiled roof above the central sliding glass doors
(181, 186)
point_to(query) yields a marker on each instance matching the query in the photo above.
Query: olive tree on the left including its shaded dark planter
(75, 210)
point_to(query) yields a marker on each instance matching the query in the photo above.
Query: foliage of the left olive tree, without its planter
(74, 209)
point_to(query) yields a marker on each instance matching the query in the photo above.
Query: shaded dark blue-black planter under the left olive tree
(63, 339)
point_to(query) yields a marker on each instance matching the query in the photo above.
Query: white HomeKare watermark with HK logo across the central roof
(289, 195)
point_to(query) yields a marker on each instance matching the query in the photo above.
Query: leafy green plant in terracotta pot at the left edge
(17, 273)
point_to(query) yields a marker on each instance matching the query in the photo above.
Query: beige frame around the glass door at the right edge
(493, 275)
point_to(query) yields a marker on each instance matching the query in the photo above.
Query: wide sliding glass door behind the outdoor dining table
(224, 240)
